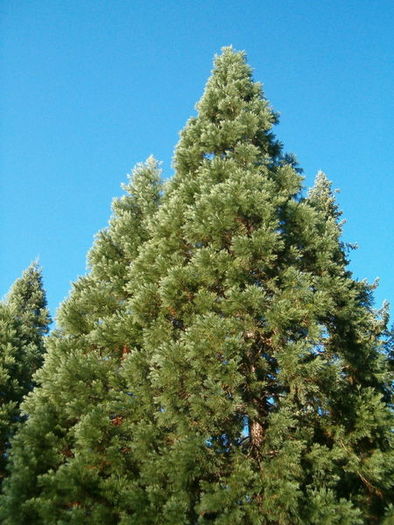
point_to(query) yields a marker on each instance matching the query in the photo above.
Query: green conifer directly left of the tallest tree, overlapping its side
(73, 429)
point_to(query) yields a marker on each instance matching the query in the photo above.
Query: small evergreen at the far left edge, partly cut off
(24, 321)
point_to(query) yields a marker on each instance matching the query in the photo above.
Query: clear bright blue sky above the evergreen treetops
(91, 87)
